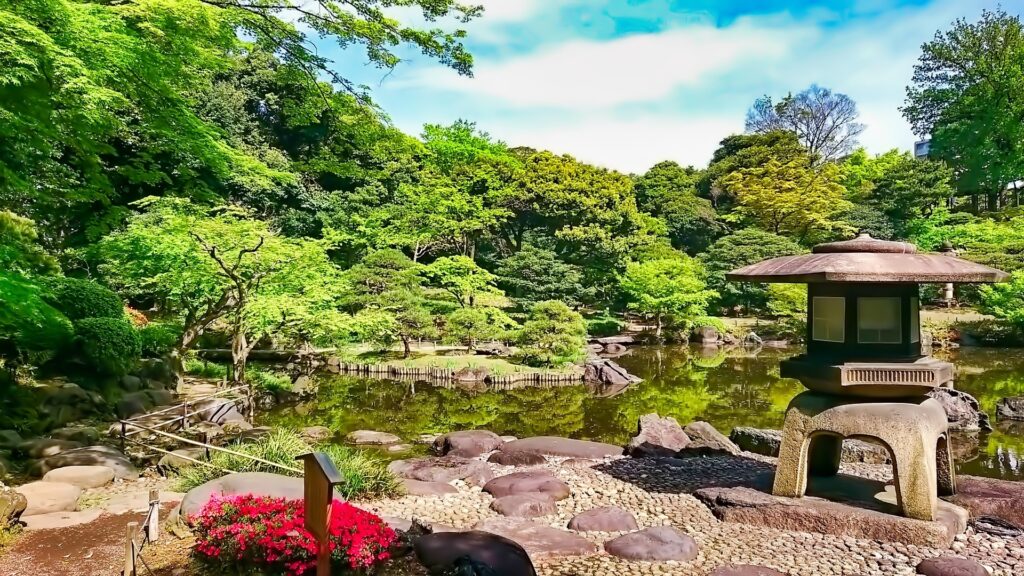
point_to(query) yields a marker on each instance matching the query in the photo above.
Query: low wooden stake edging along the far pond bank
(447, 376)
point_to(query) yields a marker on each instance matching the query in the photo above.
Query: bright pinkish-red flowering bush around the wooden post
(264, 536)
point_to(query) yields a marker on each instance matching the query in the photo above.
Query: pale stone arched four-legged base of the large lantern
(915, 432)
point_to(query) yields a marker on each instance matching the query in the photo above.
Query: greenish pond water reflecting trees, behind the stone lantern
(727, 388)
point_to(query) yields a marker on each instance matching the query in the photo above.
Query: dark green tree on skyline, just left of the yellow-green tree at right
(669, 192)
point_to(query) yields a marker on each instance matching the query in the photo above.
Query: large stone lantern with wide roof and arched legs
(865, 369)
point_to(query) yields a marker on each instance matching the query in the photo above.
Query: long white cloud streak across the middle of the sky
(643, 68)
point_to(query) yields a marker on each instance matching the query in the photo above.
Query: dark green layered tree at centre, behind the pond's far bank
(536, 274)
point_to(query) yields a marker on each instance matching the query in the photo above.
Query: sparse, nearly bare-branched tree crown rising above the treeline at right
(826, 122)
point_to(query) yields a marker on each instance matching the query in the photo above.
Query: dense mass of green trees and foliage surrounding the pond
(190, 156)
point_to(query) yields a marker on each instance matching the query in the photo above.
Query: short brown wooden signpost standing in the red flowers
(320, 477)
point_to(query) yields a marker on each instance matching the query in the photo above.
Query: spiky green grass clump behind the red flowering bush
(363, 476)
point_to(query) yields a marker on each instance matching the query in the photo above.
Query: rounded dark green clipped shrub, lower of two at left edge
(111, 346)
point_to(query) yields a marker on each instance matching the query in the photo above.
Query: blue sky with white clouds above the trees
(628, 84)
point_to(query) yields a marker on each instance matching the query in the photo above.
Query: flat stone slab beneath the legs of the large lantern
(746, 506)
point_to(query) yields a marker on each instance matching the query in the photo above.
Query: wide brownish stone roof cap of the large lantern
(868, 260)
